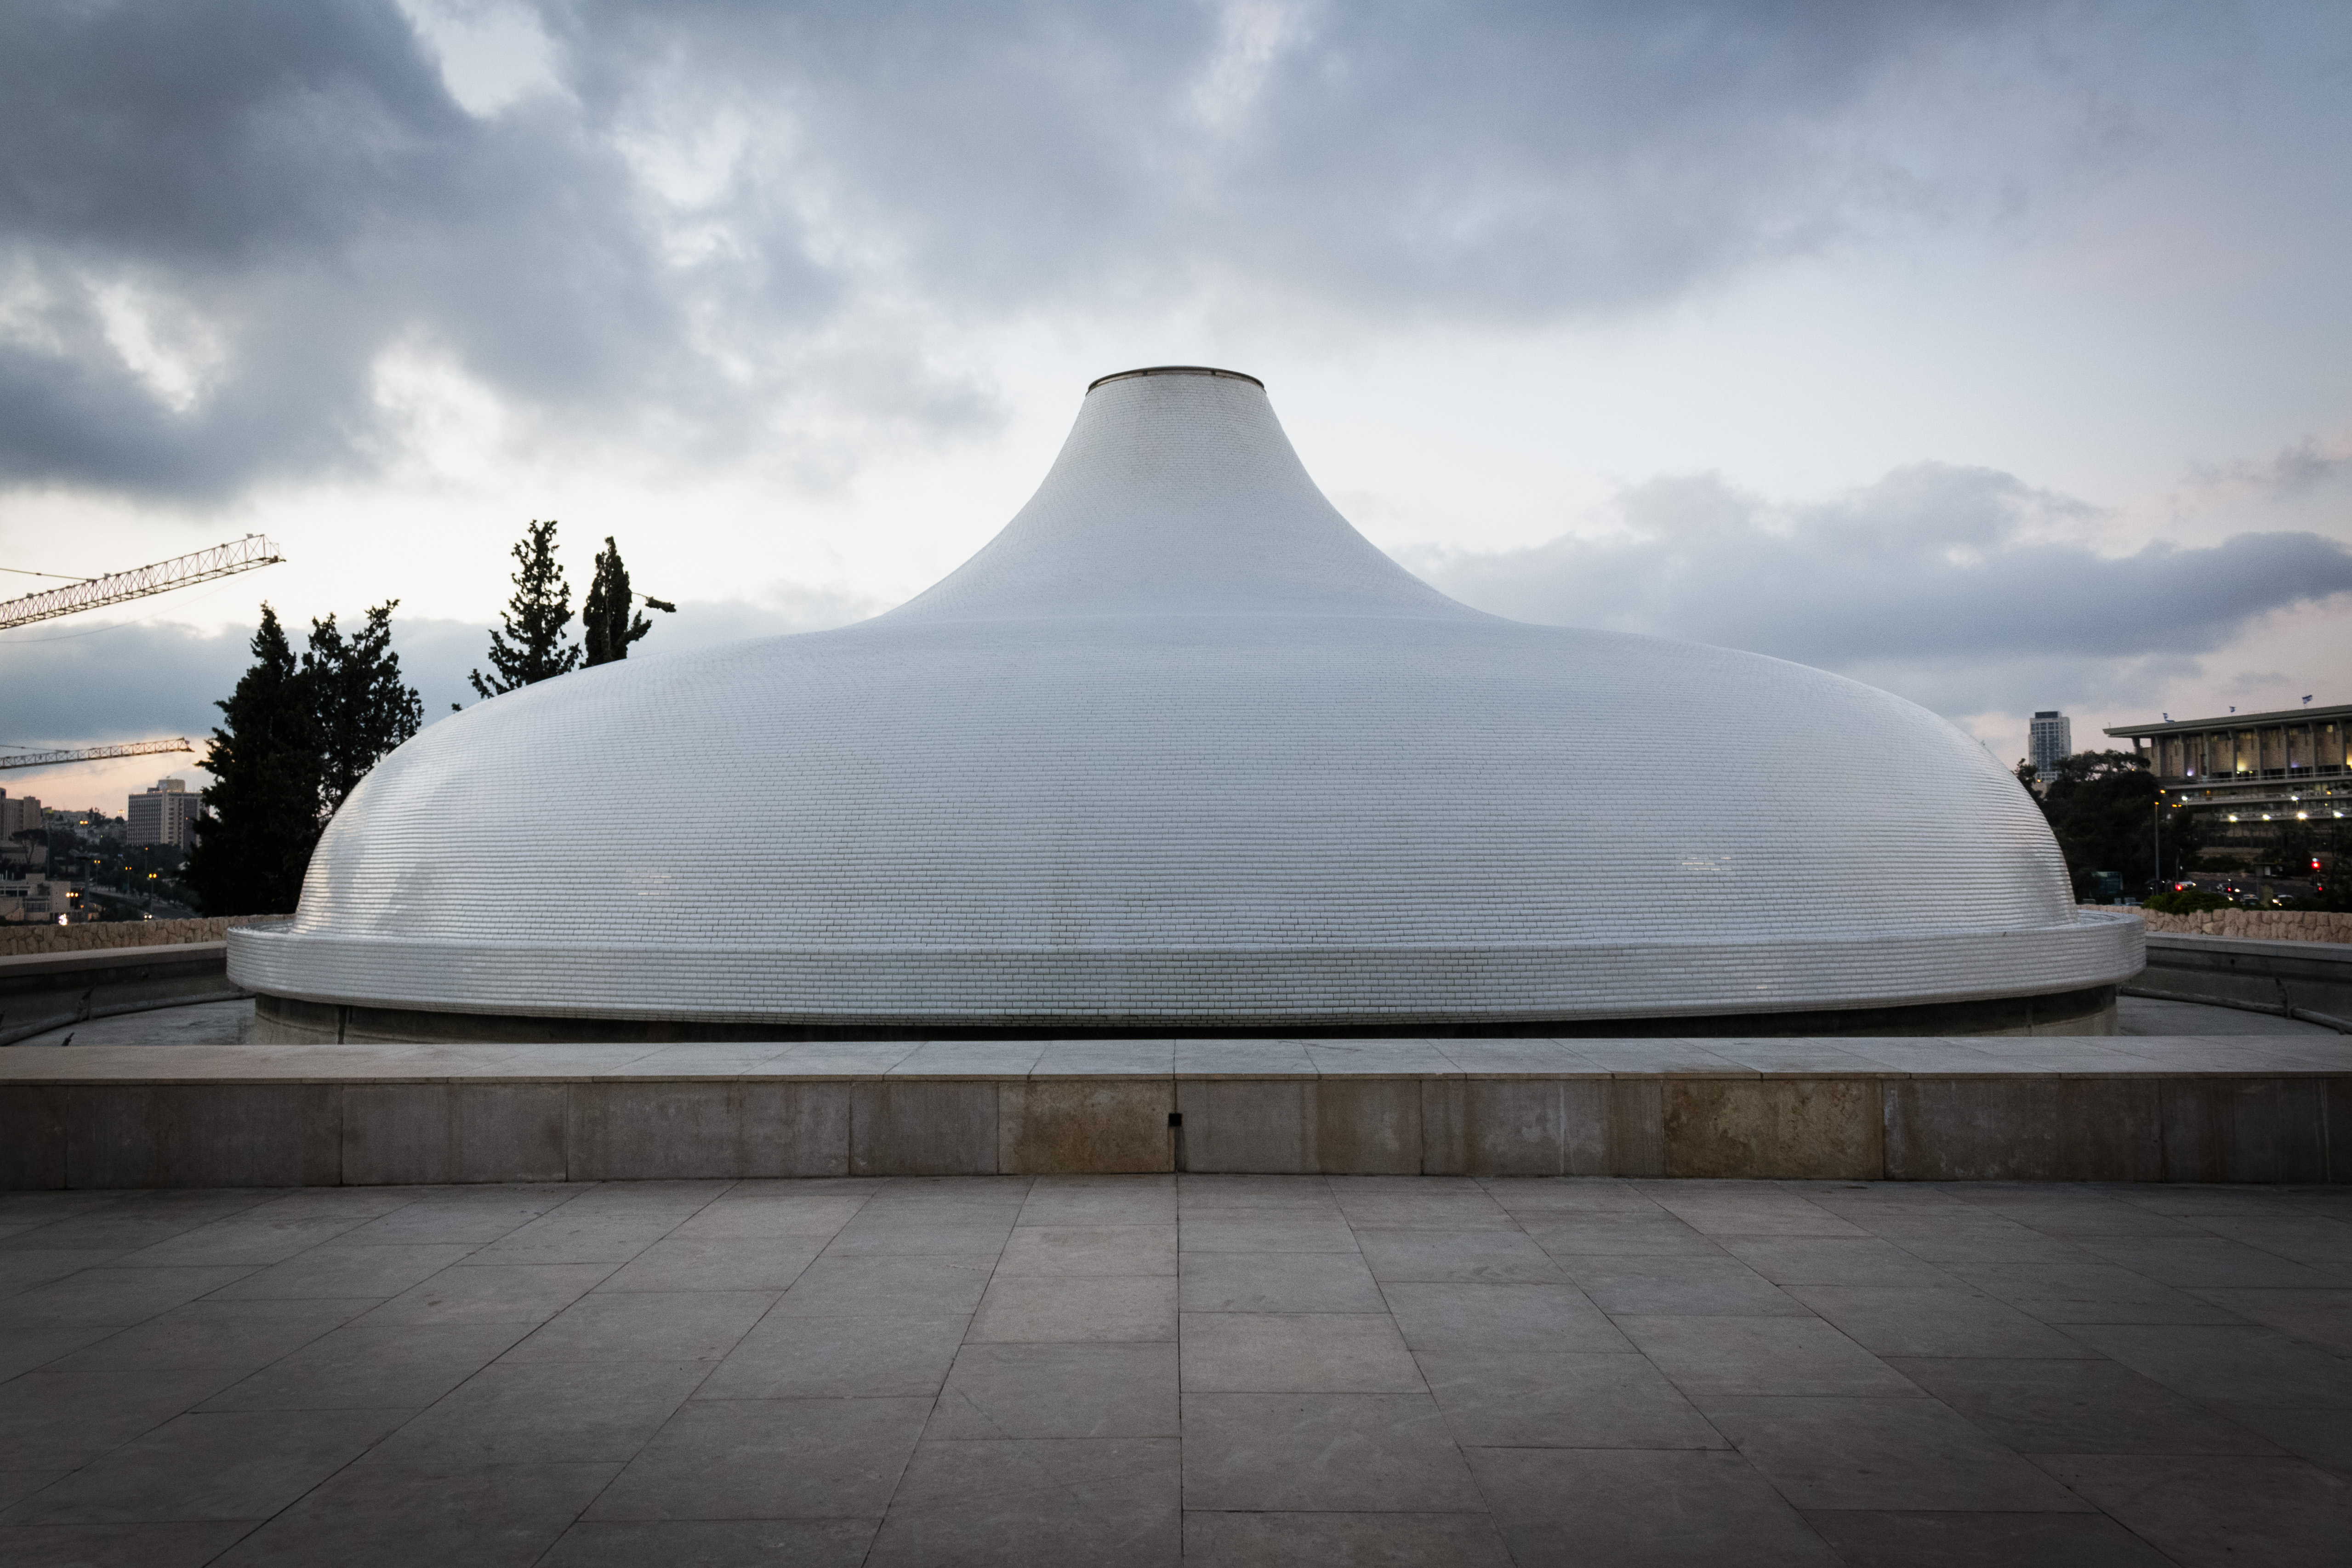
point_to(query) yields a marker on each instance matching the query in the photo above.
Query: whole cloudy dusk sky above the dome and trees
(1993, 354)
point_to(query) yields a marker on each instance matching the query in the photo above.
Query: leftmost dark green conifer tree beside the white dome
(260, 817)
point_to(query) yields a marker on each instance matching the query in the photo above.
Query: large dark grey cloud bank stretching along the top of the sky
(220, 215)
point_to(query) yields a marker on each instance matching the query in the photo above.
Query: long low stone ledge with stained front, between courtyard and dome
(2205, 1111)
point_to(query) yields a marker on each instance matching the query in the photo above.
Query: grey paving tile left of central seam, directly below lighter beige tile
(1060, 1391)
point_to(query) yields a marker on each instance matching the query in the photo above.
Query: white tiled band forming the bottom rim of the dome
(1184, 989)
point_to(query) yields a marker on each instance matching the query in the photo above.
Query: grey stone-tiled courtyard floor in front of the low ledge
(1140, 1369)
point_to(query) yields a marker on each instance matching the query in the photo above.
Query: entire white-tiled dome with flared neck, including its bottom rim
(1184, 751)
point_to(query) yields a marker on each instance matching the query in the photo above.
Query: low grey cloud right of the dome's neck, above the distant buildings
(1927, 568)
